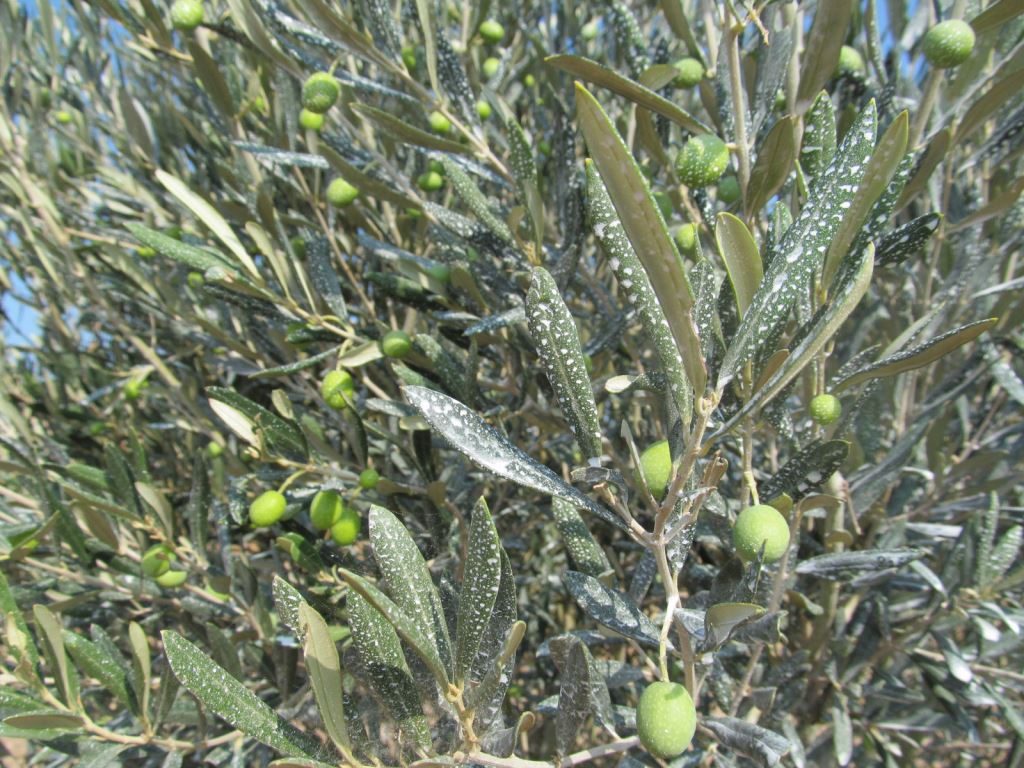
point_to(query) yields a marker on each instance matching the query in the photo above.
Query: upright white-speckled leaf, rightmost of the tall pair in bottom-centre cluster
(482, 579)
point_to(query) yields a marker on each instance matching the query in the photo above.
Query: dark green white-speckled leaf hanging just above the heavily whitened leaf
(560, 351)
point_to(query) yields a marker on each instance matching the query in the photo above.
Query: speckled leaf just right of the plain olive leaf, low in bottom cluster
(379, 652)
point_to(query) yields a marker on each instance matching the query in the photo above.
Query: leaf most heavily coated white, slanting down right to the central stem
(490, 449)
